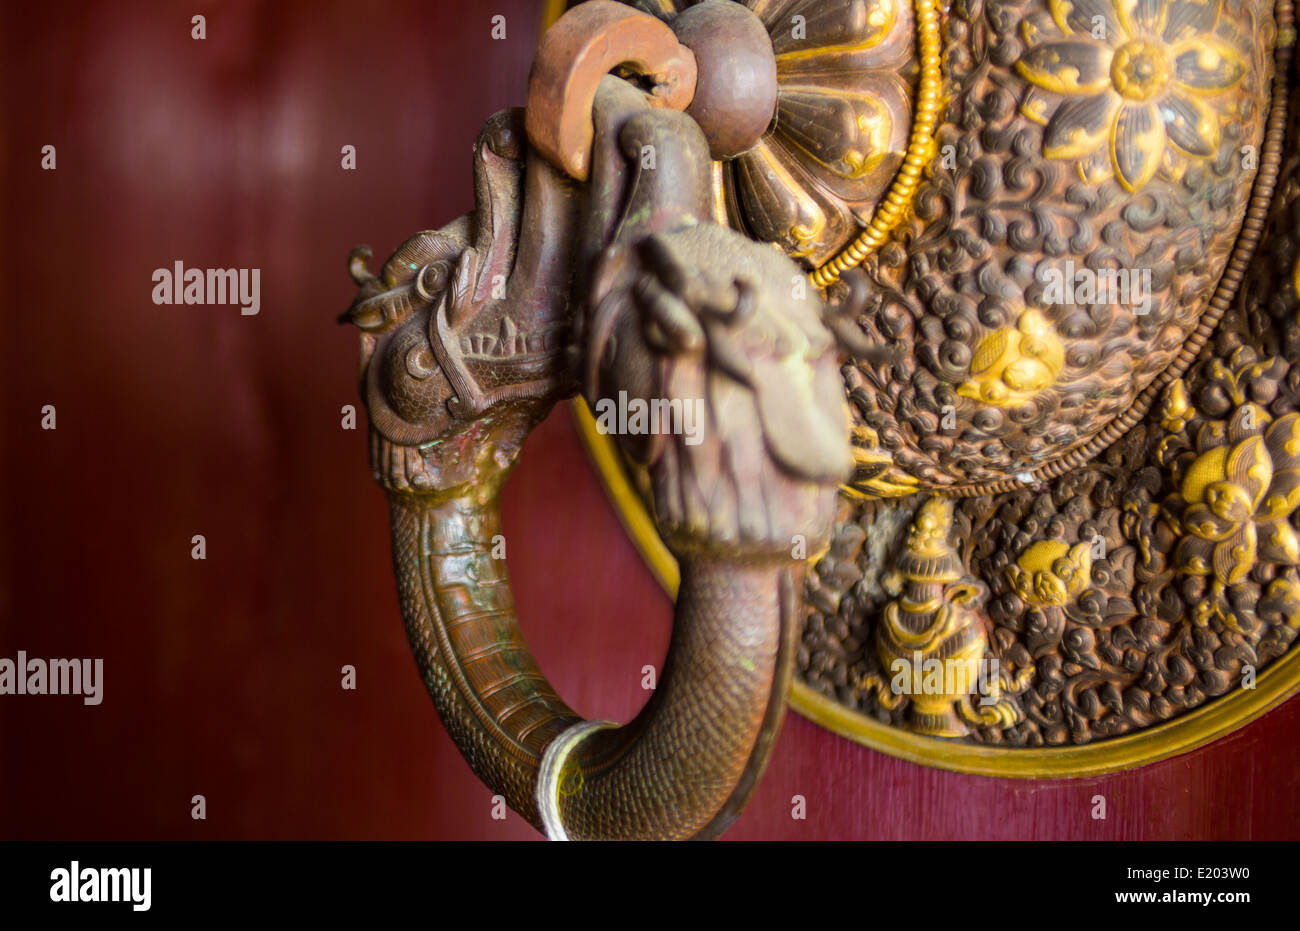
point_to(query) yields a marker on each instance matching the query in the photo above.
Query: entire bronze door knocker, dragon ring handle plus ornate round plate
(954, 354)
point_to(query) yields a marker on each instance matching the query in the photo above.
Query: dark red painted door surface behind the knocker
(223, 677)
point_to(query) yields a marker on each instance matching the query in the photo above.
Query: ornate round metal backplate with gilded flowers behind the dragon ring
(1071, 544)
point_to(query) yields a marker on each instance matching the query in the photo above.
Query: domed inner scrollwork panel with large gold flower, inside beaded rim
(1008, 236)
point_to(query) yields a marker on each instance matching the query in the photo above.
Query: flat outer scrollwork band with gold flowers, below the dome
(1130, 592)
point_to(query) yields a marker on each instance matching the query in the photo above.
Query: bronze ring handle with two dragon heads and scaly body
(679, 310)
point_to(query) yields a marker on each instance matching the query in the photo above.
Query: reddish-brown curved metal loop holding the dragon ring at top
(584, 46)
